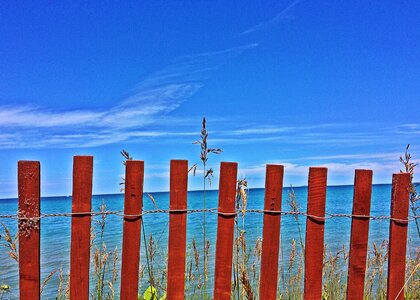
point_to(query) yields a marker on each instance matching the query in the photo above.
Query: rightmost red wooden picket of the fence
(398, 235)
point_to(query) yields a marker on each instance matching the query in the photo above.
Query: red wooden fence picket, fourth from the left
(177, 229)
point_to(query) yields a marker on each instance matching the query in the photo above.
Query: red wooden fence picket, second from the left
(80, 227)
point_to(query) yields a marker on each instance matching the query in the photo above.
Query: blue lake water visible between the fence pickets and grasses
(55, 231)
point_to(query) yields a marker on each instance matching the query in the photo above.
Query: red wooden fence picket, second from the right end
(359, 234)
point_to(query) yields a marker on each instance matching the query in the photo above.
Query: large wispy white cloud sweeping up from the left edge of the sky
(154, 97)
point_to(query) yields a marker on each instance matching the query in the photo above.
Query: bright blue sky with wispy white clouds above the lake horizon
(300, 83)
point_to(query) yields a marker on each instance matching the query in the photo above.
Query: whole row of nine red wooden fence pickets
(29, 231)
